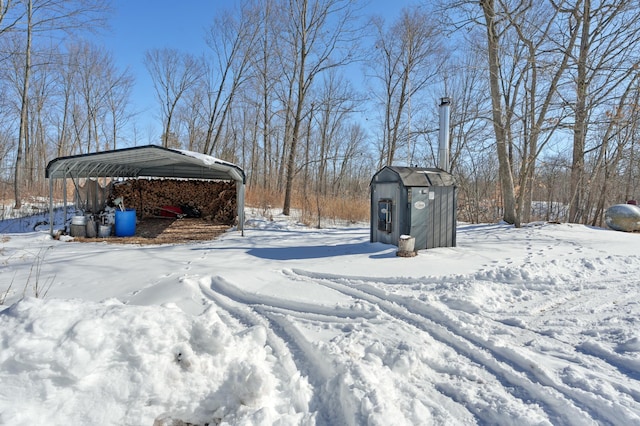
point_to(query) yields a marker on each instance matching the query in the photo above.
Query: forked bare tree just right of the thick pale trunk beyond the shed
(540, 71)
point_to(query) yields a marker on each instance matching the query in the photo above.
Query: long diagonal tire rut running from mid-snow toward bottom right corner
(529, 383)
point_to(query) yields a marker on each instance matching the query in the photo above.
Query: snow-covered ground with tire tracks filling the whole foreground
(296, 326)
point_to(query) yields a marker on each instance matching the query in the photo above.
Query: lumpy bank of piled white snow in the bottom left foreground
(78, 362)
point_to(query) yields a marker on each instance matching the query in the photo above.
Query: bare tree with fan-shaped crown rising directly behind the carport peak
(173, 73)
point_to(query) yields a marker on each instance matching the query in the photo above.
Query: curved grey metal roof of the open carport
(144, 161)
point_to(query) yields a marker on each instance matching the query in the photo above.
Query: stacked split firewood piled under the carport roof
(215, 201)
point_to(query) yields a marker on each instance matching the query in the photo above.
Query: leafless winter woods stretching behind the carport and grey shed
(312, 97)
